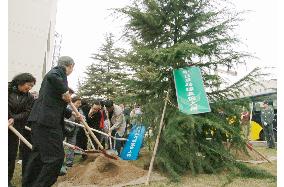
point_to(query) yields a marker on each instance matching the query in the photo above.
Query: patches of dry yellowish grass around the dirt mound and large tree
(202, 180)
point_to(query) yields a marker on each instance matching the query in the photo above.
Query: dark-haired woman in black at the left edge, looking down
(20, 102)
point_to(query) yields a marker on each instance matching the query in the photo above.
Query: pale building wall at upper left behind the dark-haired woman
(31, 37)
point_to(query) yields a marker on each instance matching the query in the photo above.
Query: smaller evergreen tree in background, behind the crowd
(105, 75)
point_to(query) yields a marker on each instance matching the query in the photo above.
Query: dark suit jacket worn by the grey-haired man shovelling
(50, 109)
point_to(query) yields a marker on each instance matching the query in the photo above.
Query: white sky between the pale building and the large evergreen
(83, 25)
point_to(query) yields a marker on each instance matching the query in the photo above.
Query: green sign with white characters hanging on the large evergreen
(191, 96)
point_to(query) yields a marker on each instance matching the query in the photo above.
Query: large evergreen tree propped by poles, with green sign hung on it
(171, 34)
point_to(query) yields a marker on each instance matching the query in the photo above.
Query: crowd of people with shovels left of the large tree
(44, 120)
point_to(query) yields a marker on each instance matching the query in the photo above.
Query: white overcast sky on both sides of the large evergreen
(83, 24)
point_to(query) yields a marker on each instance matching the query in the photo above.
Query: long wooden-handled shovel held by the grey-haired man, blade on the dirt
(106, 153)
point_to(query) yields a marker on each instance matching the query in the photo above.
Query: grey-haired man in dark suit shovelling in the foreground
(47, 122)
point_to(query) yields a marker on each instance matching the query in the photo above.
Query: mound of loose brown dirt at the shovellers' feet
(101, 171)
